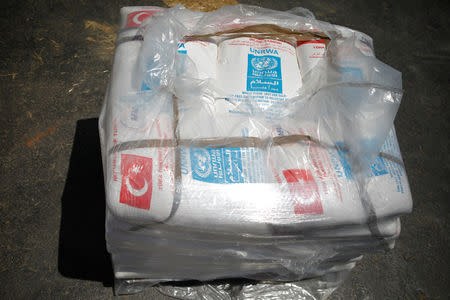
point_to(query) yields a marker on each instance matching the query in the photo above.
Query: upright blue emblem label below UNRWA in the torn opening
(264, 73)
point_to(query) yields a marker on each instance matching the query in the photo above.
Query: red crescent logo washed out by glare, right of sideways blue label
(305, 192)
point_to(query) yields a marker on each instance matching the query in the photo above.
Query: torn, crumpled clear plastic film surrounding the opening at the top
(361, 109)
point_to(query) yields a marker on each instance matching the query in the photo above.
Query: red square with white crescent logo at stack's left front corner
(136, 189)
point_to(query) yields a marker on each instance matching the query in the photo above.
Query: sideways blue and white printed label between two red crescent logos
(226, 165)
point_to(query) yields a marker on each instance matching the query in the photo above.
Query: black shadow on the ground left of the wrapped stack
(82, 248)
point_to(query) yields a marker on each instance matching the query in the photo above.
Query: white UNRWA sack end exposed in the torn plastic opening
(262, 74)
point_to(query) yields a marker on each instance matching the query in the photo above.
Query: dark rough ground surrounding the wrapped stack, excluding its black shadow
(53, 77)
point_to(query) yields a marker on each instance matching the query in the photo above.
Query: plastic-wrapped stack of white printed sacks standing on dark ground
(247, 143)
